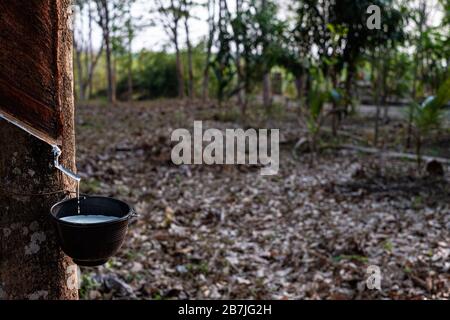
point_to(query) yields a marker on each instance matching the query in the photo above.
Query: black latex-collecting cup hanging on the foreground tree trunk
(94, 243)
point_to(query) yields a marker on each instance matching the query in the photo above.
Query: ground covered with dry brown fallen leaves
(226, 232)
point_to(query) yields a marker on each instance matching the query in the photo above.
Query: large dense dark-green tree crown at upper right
(333, 36)
